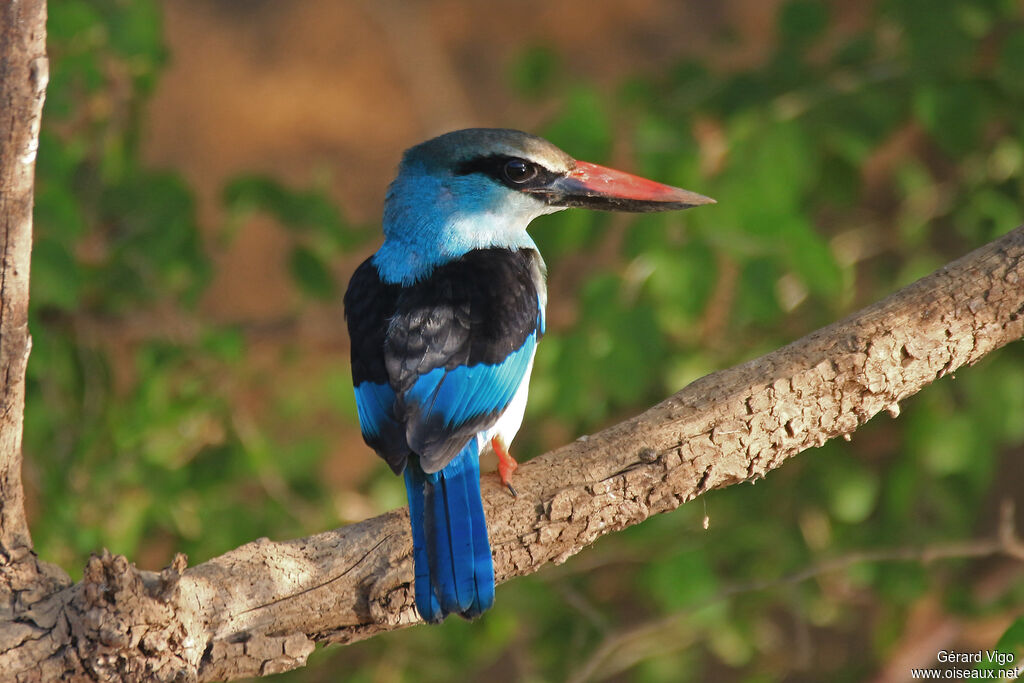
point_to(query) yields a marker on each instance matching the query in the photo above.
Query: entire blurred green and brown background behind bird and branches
(211, 174)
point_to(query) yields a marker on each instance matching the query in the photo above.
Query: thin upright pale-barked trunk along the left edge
(24, 74)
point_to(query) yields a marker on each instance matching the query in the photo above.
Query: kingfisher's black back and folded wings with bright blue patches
(456, 348)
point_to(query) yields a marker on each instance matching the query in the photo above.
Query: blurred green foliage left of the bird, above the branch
(136, 439)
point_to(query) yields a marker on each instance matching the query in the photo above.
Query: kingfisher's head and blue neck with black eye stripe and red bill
(481, 188)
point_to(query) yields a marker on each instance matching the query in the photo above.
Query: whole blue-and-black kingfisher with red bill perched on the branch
(445, 320)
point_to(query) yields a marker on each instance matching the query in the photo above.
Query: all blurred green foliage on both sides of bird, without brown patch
(846, 164)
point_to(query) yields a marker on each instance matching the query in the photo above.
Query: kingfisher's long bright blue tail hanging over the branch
(454, 570)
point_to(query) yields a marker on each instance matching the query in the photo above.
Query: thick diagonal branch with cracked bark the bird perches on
(261, 609)
